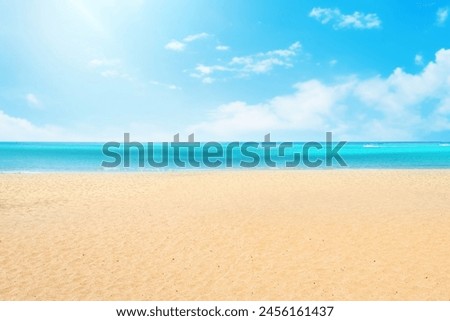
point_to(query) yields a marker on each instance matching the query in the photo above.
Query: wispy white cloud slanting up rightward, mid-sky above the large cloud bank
(241, 66)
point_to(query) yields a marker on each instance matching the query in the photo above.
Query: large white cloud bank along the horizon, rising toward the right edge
(401, 106)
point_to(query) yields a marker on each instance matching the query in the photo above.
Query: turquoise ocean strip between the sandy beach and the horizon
(27, 157)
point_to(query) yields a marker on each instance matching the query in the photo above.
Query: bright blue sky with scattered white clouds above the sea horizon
(78, 70)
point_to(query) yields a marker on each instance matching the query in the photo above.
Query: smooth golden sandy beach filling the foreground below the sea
(226, 235)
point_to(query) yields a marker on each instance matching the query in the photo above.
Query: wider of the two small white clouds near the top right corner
(356, 20)
